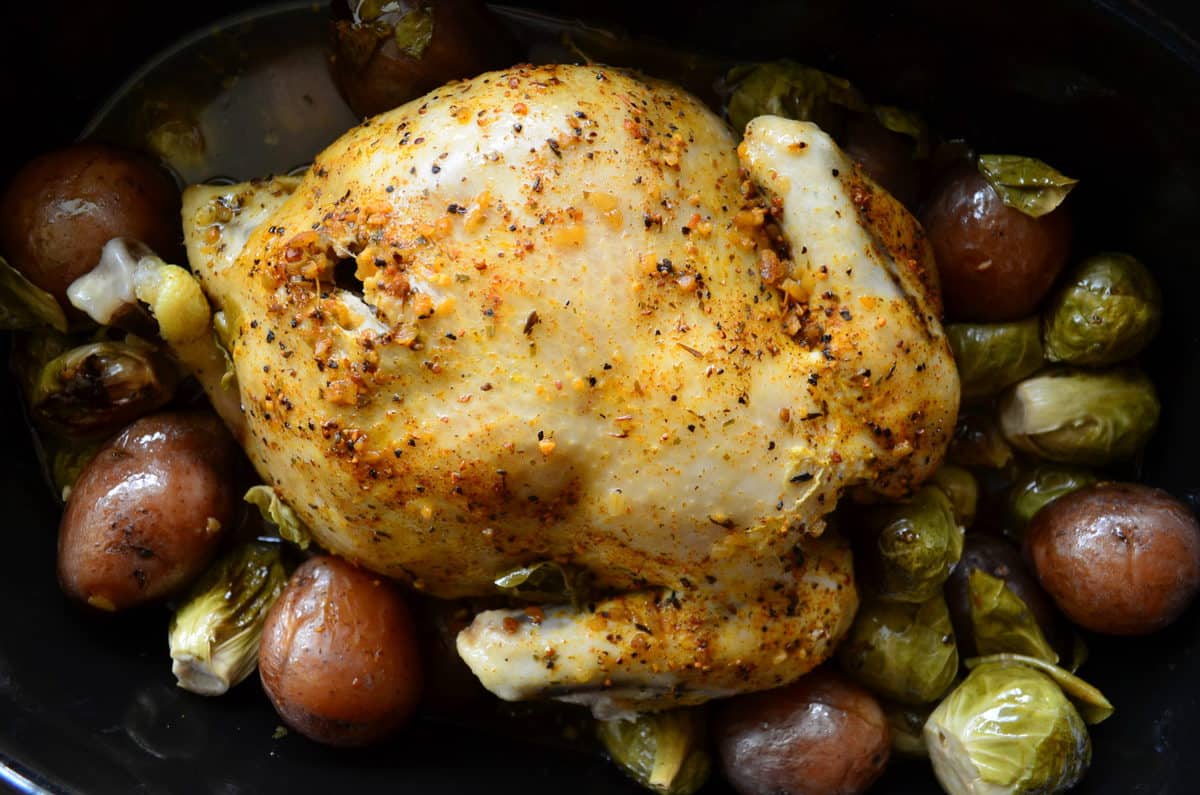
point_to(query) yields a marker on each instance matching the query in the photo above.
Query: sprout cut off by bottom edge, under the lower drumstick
(664, 752)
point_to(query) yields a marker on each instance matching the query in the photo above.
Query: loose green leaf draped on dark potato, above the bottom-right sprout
(1001, 620)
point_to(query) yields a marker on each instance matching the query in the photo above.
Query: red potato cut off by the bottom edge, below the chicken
(821, 736)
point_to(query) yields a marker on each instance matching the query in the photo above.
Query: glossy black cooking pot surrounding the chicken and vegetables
(1108, 92)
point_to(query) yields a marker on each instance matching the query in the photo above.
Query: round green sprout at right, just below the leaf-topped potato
(1106, 313)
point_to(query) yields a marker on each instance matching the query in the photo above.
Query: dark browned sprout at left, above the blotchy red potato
(101, 387)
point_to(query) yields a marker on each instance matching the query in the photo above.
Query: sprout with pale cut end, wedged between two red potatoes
(214, 636)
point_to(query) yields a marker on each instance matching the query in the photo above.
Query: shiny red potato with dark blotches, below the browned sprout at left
(147, 515)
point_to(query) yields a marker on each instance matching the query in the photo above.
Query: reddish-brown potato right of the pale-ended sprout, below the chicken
(339, 656)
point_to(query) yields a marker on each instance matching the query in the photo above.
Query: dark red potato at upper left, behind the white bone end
(63, 207)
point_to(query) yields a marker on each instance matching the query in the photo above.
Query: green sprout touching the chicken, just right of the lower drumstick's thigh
(917, 547)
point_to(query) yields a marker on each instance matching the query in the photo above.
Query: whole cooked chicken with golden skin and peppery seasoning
(548, 315)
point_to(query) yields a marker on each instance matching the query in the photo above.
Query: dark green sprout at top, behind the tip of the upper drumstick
(790, 91)
